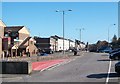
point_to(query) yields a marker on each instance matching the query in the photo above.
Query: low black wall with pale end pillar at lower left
(15, 67)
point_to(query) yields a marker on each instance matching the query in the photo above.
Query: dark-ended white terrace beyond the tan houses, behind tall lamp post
(55, 43)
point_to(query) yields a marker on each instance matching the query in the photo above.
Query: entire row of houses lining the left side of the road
(16, 41)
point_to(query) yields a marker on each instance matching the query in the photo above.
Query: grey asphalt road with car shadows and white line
(88, 67)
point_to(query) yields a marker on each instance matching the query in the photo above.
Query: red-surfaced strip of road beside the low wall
(46, 64)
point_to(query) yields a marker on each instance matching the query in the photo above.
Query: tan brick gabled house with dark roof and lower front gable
(21, 42)
